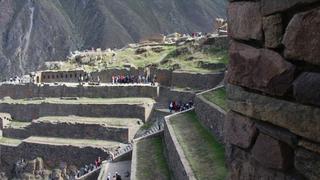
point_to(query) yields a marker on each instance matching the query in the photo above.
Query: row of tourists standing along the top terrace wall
(131, 79)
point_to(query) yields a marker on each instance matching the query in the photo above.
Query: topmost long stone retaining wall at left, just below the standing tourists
(32, 90)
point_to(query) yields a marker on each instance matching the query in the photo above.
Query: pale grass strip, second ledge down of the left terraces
(120, 122)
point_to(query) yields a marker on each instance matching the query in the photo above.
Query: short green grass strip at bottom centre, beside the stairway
(151, 163)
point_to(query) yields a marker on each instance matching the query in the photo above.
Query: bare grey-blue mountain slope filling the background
(35, 31)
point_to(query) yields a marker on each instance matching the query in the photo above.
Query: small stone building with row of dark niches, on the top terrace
(51, 76)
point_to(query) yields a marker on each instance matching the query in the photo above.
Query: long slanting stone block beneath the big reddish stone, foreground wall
(299, 119)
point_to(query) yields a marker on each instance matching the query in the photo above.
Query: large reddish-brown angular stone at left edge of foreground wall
(259, 69)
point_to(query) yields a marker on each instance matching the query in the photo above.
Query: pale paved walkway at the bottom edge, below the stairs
(122, 167)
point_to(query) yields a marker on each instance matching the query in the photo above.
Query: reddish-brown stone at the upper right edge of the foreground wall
(302, 36)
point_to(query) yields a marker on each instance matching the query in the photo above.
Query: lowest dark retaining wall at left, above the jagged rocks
(51, 154)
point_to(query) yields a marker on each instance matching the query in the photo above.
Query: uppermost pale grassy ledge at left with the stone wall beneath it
(29, 109)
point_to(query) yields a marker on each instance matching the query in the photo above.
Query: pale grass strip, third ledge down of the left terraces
(71, 142)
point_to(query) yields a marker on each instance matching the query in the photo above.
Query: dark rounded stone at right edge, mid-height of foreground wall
(306, 88)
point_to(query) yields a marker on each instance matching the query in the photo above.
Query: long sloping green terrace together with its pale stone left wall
(196, 156)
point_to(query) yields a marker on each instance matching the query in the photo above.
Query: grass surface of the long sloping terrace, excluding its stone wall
(204, 153)
